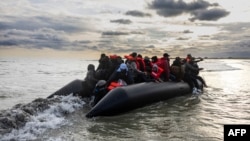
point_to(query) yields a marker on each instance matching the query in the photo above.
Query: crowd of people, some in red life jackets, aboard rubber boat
(135, 68)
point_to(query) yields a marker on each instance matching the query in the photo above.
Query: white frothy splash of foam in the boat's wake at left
(51, 117)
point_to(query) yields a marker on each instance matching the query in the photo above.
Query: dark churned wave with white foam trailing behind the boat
(26, 122)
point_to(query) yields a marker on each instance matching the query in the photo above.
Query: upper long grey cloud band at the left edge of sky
(66, 24)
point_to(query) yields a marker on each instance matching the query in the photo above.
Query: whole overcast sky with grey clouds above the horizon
(150, 27)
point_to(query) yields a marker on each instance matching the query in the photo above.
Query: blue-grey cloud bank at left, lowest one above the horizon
(42, 38)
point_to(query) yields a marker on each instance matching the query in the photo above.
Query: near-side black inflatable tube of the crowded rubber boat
(123, 99)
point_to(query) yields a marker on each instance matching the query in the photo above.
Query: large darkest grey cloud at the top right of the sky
(198, 9)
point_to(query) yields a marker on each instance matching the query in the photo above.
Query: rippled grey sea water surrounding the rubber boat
(225, 101)
